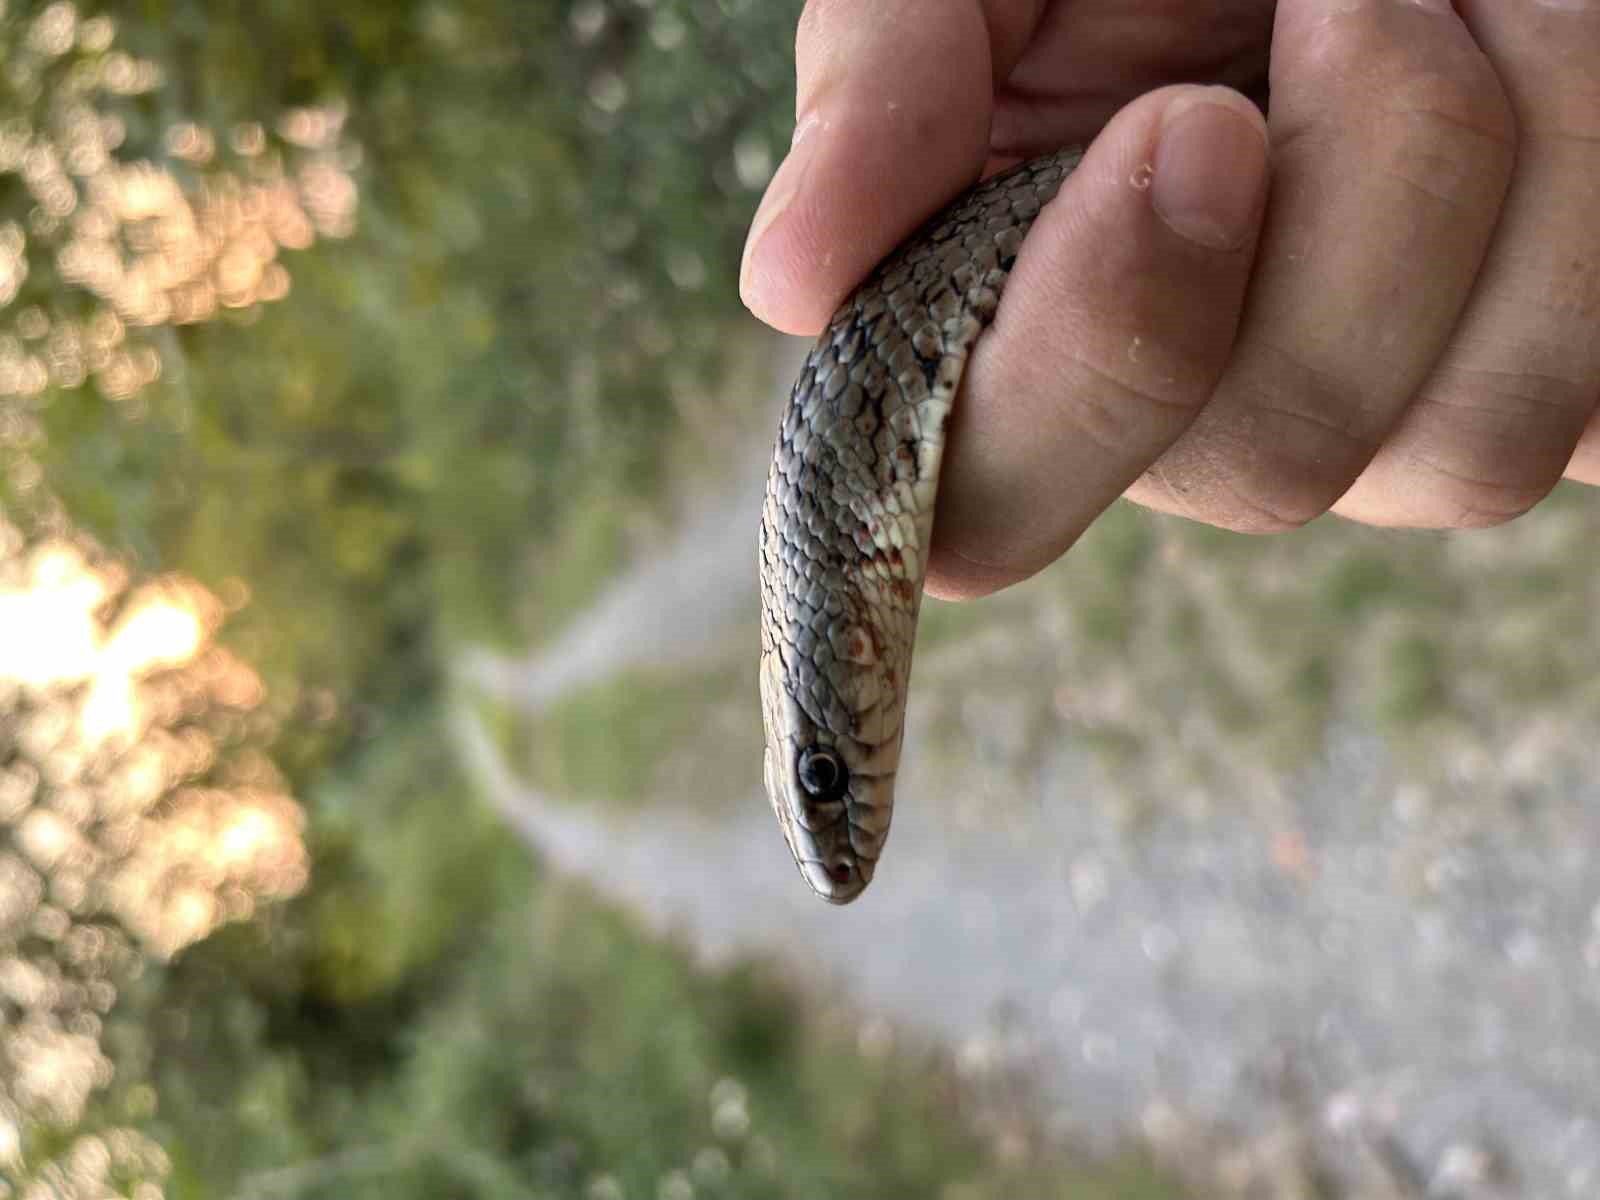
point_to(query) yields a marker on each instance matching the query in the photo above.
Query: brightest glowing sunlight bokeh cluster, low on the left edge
(127, 830)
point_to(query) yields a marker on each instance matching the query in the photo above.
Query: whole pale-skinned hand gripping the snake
(1382, 302)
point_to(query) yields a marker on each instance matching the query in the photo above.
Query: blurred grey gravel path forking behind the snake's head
(1399, 988)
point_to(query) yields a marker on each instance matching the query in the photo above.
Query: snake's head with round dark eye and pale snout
(833, 794)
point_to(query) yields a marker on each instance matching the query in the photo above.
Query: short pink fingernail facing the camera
(1210, 170)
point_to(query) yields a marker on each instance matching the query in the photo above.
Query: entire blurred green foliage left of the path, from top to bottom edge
(441, 436)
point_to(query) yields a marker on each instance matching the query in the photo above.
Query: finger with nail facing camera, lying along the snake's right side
(1111, 335)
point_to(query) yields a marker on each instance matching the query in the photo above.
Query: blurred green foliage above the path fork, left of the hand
(489, 367)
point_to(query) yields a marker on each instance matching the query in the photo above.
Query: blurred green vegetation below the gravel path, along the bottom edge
(553, 1046)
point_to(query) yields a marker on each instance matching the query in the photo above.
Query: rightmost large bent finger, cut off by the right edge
(1497, 425)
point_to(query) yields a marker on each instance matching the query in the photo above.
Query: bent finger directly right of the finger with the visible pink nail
(1393, 146)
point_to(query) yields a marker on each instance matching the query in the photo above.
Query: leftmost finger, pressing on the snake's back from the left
(894, 103)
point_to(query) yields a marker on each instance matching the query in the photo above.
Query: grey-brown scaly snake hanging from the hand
(847, 521)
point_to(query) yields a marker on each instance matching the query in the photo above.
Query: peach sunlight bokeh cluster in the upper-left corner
(143, 244)
